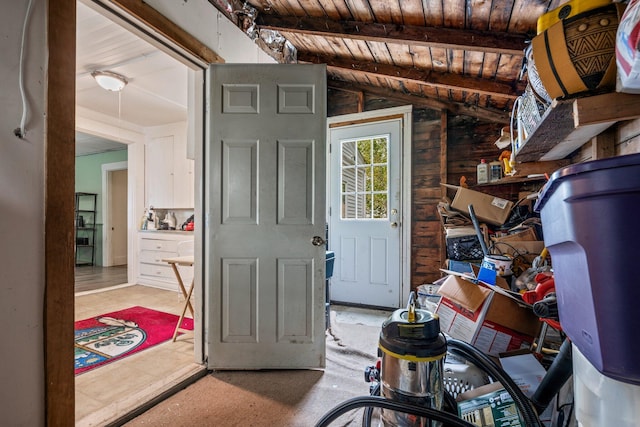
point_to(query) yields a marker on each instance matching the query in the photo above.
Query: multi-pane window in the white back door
(364, 178)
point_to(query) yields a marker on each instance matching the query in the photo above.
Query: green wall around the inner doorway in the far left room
(89, 180)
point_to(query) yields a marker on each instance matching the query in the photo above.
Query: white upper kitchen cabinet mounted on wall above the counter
(169, 179)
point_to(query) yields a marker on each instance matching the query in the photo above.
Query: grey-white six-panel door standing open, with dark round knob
(265, 212)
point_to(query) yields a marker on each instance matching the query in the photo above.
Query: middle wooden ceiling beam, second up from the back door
(429, 77)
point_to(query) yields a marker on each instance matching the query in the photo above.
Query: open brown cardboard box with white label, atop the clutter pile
(487, 208)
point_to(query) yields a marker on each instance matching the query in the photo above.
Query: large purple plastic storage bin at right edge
(589, 214)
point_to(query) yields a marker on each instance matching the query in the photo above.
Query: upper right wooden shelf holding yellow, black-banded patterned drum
(573, 74)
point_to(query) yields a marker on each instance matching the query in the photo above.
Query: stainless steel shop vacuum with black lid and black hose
(408, 386)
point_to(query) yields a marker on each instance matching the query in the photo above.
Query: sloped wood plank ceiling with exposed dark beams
(464, 56)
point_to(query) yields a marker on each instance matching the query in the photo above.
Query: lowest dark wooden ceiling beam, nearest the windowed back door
(494, 116)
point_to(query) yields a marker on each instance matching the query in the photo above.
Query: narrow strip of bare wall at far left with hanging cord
(22, 210)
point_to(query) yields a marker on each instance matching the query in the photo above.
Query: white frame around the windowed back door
(404, 113)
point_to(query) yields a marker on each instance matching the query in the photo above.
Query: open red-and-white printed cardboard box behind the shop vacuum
(485, 317)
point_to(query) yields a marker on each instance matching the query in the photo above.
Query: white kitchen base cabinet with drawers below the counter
(155, 246)
